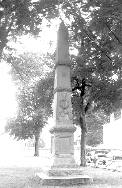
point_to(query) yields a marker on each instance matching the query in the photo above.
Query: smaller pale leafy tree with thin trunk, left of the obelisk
(34, 96)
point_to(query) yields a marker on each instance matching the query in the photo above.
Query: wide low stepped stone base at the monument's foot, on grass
(63, 177)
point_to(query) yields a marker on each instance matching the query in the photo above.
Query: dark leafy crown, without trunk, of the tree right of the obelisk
(99, 52)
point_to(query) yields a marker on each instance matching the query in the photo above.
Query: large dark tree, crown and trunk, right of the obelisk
(97, 62)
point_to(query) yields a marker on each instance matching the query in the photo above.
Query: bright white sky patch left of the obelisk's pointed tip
(46, 42)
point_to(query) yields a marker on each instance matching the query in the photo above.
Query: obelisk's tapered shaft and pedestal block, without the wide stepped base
(63, 129)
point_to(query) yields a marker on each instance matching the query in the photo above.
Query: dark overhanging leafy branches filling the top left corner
(21, 18)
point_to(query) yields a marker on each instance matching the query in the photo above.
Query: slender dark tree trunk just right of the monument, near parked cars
(83, 140)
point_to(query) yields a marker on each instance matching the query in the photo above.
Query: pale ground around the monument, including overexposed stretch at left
(18, 167)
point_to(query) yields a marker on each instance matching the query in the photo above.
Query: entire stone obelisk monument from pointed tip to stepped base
(64, 170)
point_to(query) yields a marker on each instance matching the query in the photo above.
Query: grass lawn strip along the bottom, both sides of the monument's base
(17, 177)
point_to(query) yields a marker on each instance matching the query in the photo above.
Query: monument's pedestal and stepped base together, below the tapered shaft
(63, 171)
